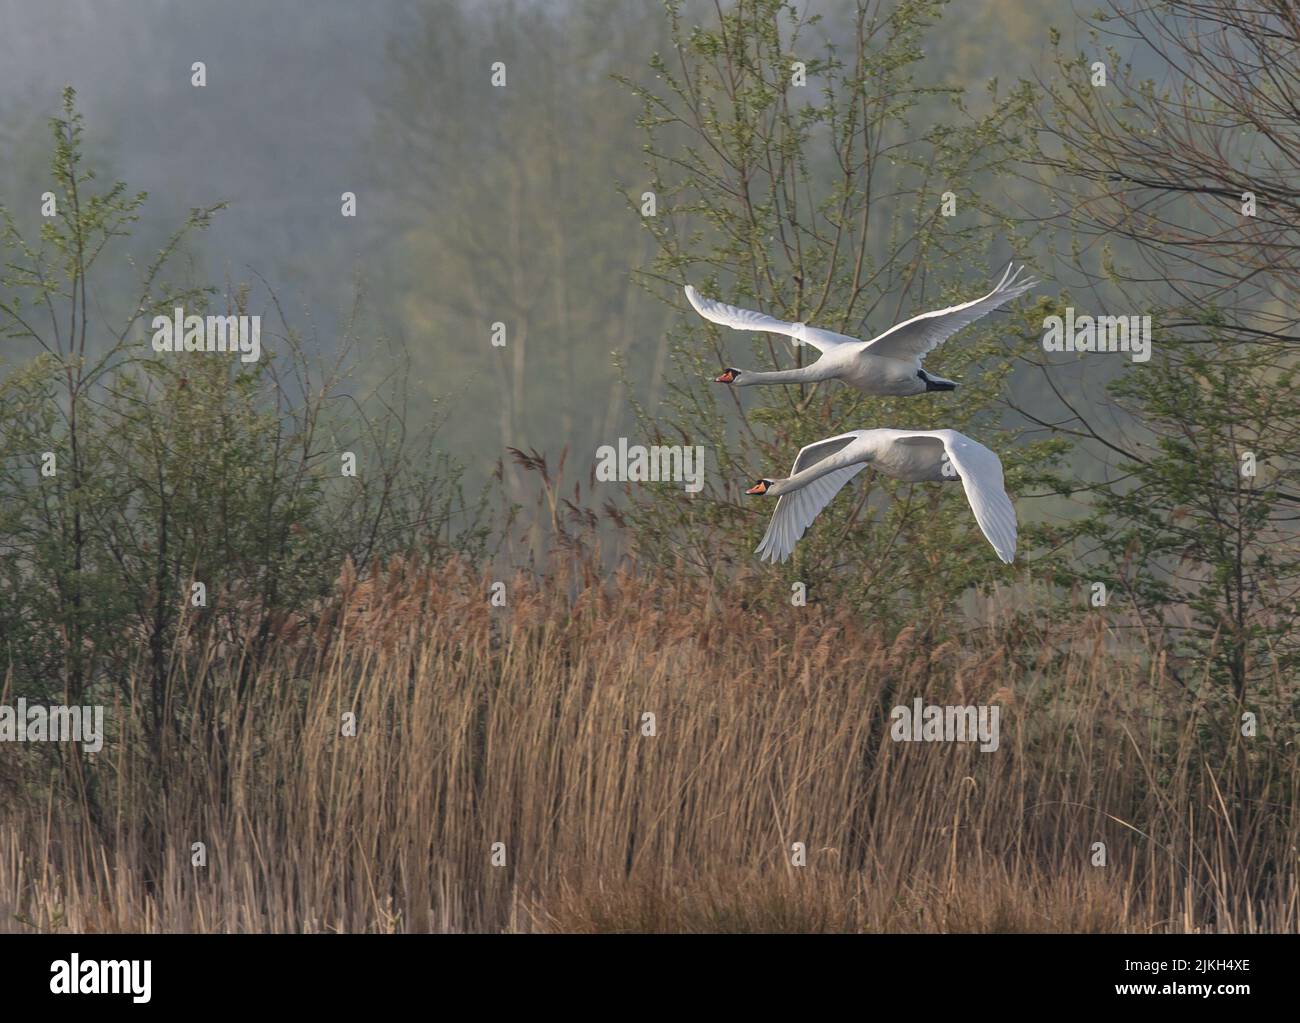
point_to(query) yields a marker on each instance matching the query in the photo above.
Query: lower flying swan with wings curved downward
(822, 469)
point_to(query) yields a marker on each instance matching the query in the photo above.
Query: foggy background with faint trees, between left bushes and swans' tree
(475, 205)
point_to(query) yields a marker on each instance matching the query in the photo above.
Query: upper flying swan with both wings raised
(886, 366)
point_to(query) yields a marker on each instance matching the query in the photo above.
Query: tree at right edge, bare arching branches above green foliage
(1181, 188)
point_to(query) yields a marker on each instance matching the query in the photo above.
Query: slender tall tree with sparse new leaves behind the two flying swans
(825, 203)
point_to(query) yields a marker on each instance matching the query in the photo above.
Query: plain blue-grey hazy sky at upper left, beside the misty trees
(280, 132)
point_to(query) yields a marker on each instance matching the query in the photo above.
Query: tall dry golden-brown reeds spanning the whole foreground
(522, 726)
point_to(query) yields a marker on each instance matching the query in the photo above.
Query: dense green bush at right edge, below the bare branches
(1198, 534)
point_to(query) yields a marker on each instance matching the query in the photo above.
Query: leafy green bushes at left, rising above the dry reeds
(127, 475)
